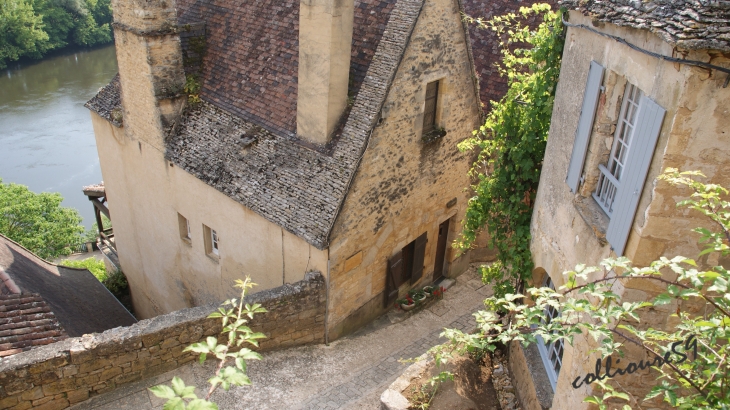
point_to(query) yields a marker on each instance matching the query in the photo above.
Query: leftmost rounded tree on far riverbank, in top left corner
(21, 32)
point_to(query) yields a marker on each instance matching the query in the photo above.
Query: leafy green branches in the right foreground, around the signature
(589, 306)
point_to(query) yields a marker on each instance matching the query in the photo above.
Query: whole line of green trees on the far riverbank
(32, 28)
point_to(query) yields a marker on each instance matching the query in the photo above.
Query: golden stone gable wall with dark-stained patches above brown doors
(405, 187)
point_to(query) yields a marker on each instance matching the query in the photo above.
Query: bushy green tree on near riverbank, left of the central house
(38, 221)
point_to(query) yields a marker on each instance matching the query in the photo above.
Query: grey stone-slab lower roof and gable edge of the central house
(295, 187)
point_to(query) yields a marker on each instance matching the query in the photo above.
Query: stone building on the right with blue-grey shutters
(621, 116)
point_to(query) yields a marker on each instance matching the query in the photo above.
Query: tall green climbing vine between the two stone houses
(511, 143)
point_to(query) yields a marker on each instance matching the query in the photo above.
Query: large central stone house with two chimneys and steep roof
(325, 140)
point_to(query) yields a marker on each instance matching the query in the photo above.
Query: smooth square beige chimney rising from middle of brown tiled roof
(325, 40)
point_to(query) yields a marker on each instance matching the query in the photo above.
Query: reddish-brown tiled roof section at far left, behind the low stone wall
(26, 321)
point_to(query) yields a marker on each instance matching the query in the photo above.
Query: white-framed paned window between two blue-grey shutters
(610, 177)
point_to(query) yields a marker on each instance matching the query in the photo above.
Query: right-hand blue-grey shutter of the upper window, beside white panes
(648, 124)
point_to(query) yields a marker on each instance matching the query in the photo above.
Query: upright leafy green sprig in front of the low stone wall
(234, 314)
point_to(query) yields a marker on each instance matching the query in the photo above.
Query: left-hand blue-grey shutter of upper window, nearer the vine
(585, 125)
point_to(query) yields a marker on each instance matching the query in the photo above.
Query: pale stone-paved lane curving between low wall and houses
(350, 373)
